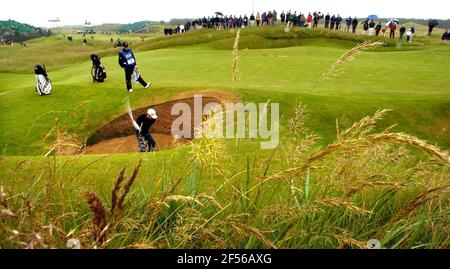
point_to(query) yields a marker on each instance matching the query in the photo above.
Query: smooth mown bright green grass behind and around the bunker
(413, 83)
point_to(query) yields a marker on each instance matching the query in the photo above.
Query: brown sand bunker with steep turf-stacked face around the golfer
(118, 136)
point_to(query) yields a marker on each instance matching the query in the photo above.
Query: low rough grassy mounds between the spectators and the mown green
(250, 39)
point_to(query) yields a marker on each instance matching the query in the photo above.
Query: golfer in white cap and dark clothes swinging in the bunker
(146, 142)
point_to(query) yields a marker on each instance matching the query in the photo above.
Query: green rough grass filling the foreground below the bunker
(318, 217)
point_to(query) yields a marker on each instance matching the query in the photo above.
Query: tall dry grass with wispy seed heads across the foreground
(366, 185)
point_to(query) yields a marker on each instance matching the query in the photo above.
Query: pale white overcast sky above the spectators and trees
(126, 11)
